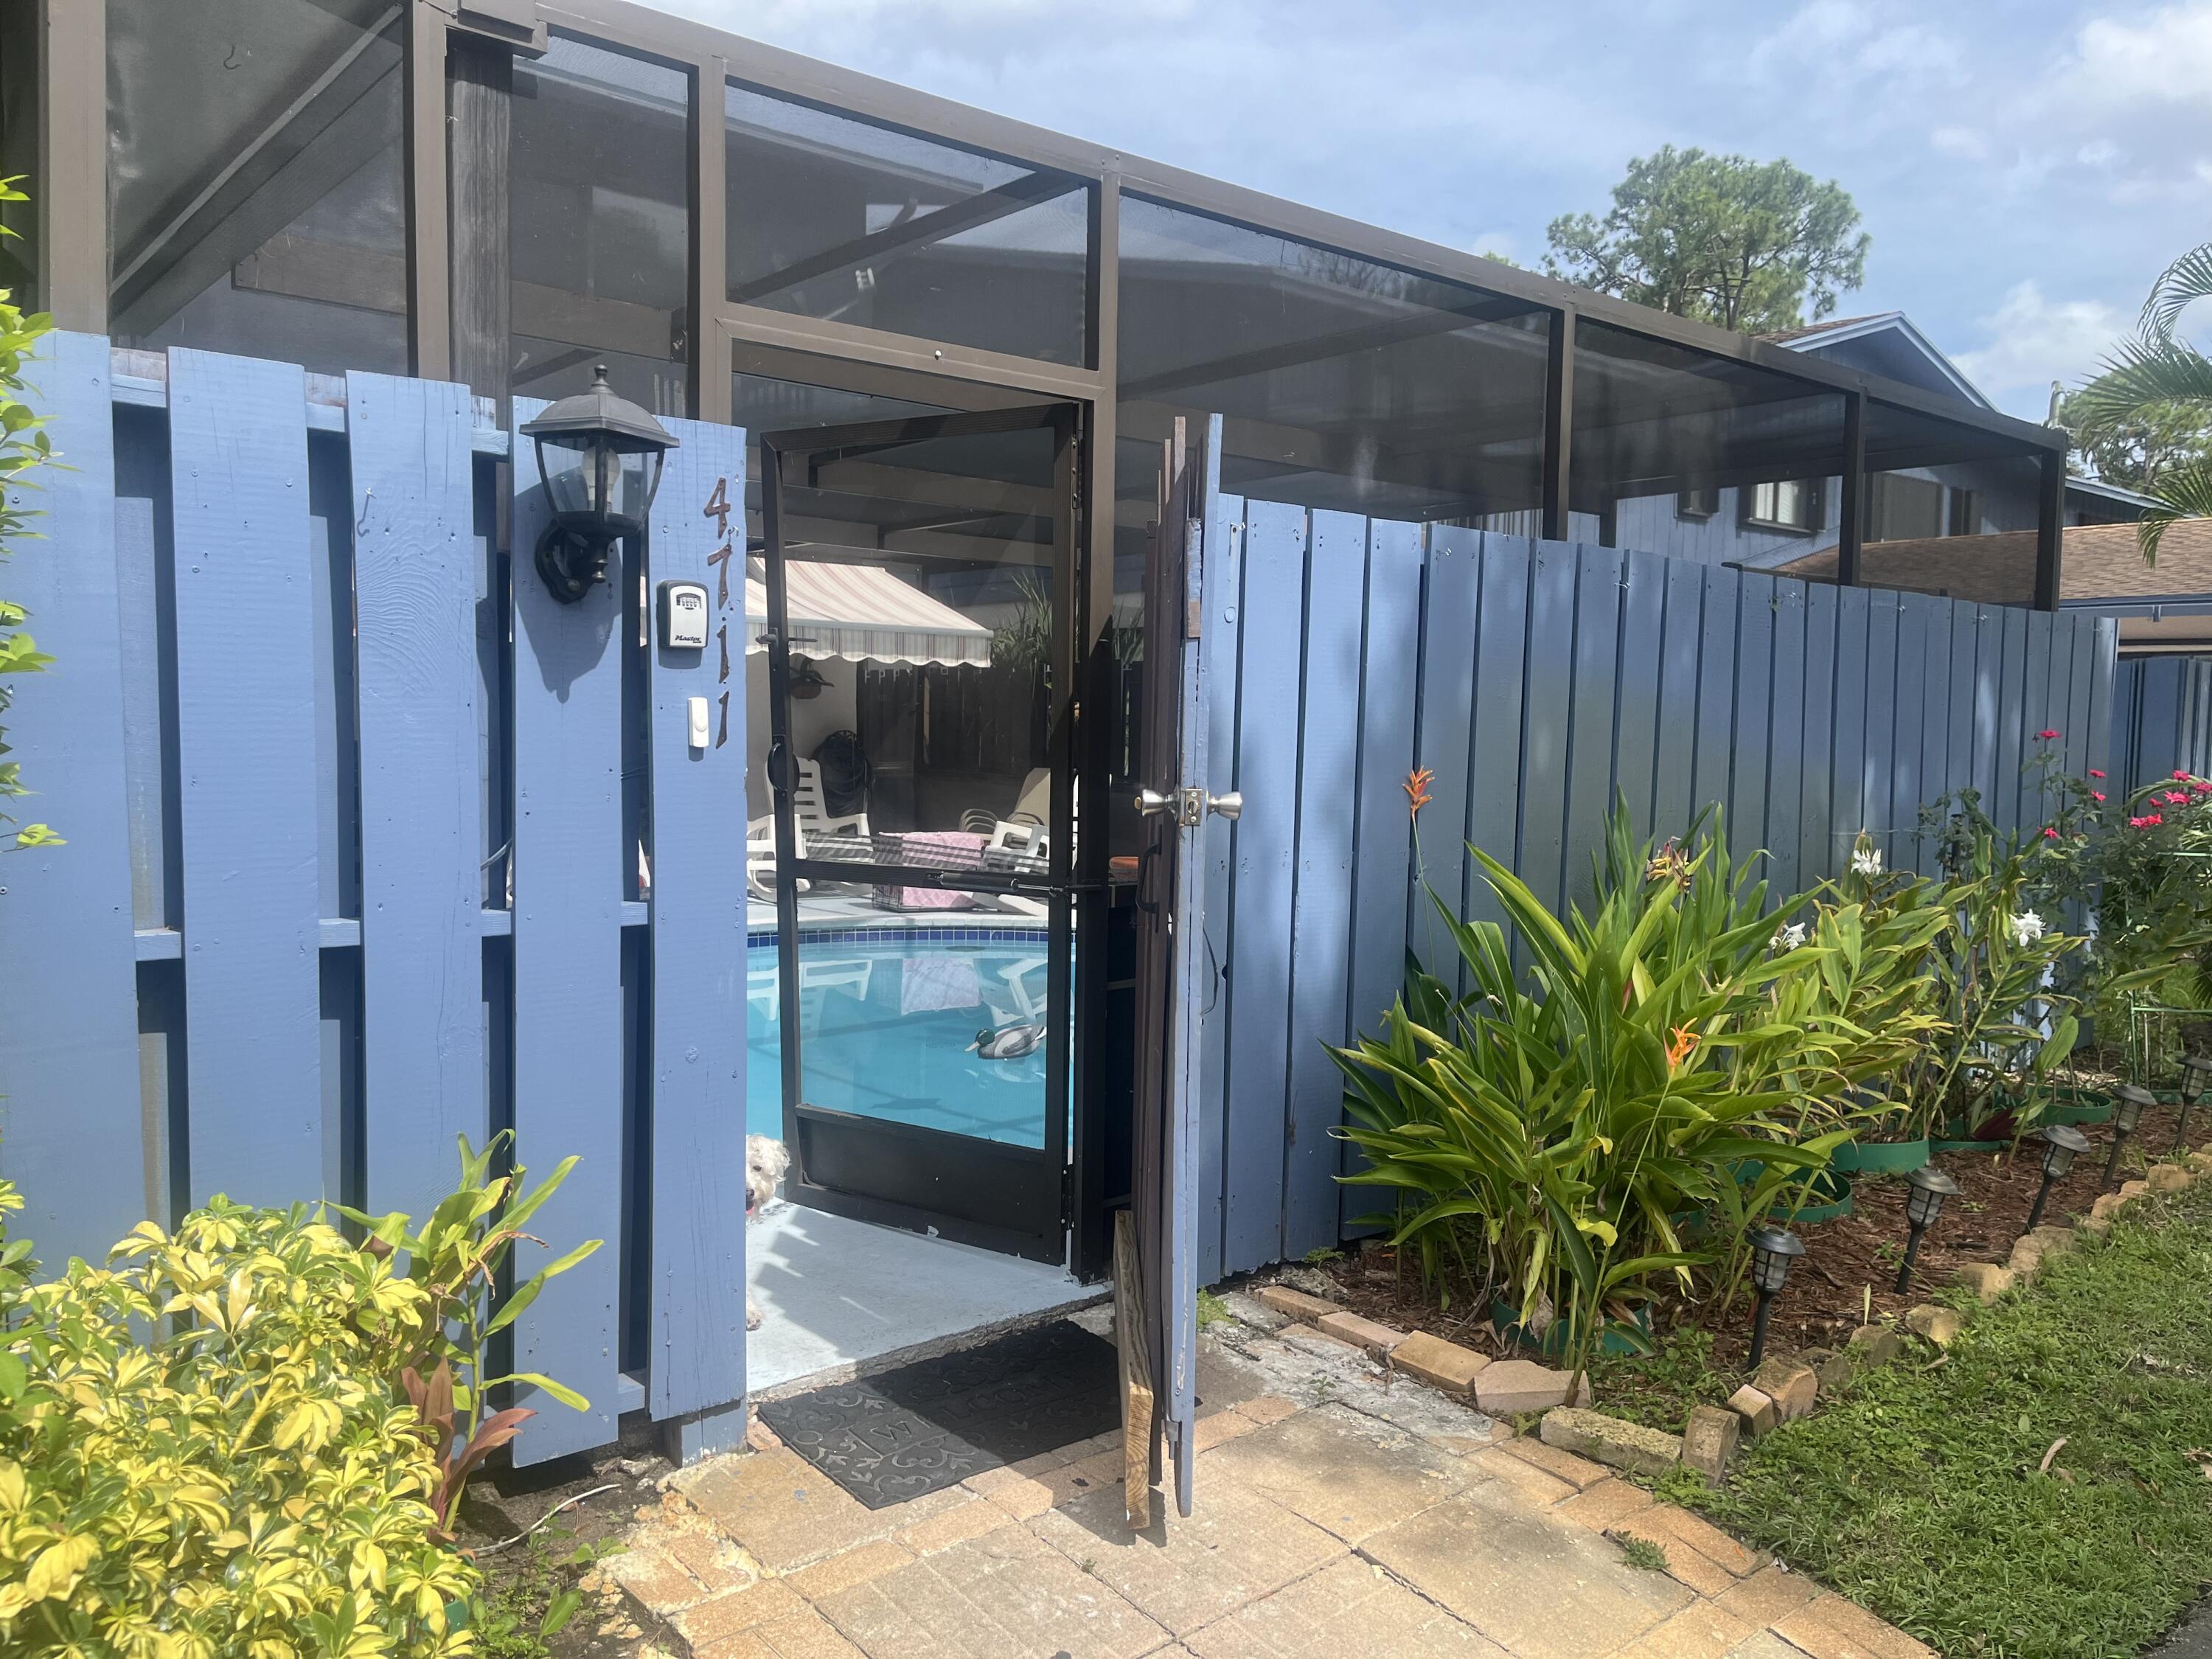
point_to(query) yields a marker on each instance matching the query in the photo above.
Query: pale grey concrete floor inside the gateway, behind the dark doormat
(839, 1293)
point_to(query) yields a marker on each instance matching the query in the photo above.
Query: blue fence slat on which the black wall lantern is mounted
(567, 977)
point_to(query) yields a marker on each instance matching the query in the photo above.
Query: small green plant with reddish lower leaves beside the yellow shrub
(459, 1260)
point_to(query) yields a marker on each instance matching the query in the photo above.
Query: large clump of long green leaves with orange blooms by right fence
(1578, 1123)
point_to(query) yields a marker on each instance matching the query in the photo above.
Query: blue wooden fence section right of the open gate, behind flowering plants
(1534, 680)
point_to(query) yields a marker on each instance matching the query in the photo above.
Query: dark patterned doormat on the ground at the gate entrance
(935, 1423)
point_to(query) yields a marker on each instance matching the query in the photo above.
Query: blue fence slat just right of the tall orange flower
(1448, 707)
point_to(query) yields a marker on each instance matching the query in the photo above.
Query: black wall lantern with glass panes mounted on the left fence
(601, 459)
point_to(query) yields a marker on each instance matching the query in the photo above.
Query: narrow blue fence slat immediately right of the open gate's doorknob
(1222, 649)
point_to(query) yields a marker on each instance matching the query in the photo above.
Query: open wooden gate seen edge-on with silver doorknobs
(1173, 974)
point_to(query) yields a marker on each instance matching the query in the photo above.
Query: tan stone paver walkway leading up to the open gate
(1339, 1516)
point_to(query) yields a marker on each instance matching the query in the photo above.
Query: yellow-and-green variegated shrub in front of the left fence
(200, 1452)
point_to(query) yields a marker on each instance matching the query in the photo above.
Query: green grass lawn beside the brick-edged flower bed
(1921, 1492)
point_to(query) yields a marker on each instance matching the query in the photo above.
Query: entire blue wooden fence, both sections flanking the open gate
(357, 824)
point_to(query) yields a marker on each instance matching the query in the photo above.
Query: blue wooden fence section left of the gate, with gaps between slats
(304, 735)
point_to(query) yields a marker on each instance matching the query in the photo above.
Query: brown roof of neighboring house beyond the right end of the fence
(2103, 567)
